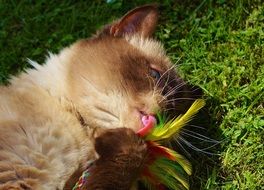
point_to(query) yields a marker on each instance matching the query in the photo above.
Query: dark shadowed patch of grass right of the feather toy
(202, 148)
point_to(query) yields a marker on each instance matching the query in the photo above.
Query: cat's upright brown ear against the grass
(141, 21)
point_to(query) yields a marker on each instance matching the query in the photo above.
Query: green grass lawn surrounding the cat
(219, 45)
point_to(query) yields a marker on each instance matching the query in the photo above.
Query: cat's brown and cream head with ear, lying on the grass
(122, 74)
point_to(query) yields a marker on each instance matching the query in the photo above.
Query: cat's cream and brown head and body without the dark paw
(50, 115)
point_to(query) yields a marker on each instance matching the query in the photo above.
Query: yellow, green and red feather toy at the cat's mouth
(165, 167)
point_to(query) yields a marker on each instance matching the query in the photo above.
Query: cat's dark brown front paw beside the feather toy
(122, 156)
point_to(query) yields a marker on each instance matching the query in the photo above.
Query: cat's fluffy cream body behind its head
(42, 142)
